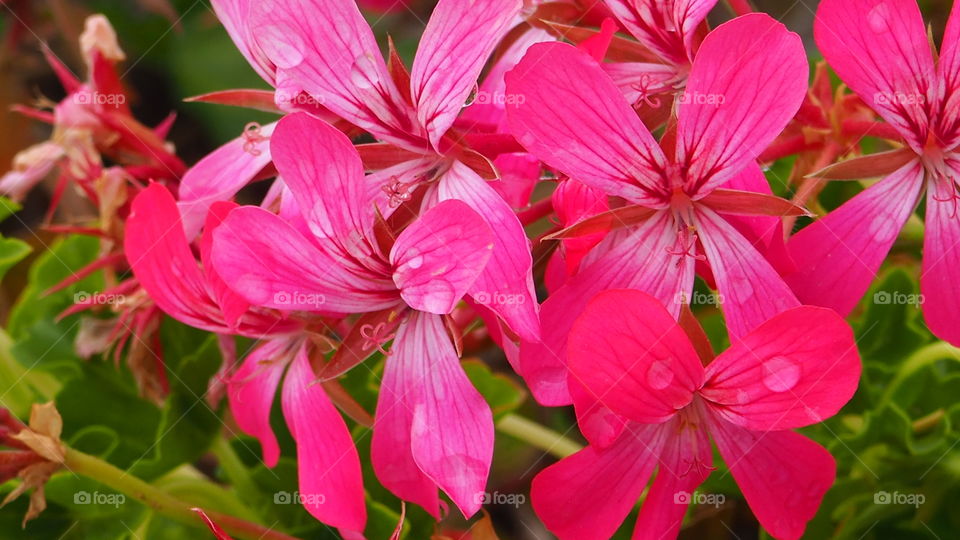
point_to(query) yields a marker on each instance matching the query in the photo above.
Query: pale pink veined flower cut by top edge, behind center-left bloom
(332, 55)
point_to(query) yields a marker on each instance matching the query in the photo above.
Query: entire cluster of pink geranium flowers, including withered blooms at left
(405, 211)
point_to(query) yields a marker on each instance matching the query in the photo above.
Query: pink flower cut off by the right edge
(881, 51)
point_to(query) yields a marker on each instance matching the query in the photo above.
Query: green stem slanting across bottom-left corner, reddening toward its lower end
(160, 501)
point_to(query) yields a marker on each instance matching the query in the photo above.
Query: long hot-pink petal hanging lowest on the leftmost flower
(328, 466)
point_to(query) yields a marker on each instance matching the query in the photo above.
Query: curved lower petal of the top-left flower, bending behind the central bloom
(506, 283)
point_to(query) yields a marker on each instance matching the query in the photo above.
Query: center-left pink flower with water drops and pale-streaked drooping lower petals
(329, 253)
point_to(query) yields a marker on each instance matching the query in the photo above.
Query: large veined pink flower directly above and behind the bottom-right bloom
(683, 204)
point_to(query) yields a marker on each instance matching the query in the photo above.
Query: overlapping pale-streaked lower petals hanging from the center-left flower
(443, 420)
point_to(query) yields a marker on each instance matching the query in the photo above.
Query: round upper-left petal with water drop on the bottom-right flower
(631, 355)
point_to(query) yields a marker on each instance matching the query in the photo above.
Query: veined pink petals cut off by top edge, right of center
(665, 26)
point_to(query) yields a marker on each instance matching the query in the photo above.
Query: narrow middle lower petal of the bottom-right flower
(686, 460)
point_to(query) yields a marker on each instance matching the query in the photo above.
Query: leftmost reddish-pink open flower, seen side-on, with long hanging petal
(161, 259)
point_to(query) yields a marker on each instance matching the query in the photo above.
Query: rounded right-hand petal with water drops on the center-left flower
(440, 255)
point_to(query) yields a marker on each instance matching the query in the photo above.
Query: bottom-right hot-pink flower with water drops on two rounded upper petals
(794, 370)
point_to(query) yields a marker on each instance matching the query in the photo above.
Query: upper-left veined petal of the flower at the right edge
(880, 50)
